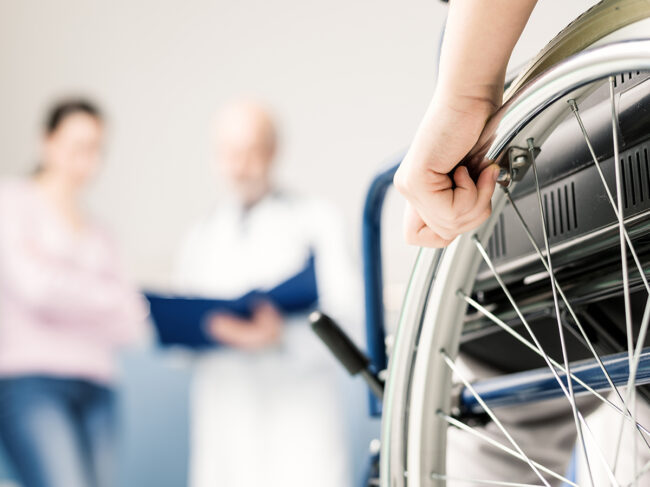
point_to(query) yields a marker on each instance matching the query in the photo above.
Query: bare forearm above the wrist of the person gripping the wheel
(479, 38)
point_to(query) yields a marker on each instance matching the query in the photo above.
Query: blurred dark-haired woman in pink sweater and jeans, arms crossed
(65, 307)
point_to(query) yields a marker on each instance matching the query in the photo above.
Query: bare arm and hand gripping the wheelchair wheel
(444, 202)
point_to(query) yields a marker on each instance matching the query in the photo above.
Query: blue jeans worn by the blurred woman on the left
(58, 432)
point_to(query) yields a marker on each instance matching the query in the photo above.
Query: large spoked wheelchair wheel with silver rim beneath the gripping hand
(554, 282)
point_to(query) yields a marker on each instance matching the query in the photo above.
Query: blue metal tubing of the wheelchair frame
(507, 390)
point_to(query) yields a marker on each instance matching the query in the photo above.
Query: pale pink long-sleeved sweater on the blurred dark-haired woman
(65, 304)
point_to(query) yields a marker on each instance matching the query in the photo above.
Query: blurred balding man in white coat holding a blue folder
(264, 407)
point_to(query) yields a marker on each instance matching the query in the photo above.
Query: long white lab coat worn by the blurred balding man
(273, 417)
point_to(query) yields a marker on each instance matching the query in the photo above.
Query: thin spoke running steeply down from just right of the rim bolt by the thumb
(556, 303)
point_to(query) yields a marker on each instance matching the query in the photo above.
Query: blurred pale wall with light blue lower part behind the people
(348, 80)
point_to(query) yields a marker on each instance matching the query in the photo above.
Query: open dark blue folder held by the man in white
(181, 320)
